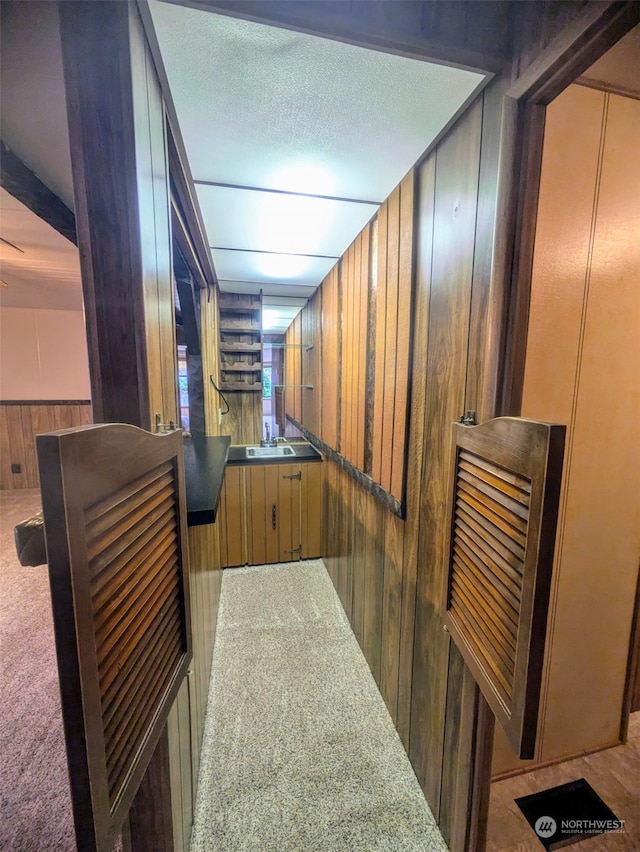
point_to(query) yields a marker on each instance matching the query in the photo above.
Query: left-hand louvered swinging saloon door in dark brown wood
(113, 500)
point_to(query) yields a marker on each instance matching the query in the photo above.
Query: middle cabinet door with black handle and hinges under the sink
(273, 513)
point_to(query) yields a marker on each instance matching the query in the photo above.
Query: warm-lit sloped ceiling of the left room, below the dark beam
(44, 270)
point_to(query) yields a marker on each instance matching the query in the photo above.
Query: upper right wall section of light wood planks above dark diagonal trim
(361, 313)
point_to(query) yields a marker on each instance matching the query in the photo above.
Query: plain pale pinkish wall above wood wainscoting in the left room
(43, 354)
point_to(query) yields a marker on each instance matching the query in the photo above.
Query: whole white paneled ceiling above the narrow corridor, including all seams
(266, 108)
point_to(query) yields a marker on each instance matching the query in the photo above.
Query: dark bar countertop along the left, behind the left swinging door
(204, 463)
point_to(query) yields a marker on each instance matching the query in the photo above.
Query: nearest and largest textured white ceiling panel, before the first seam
(259, 105)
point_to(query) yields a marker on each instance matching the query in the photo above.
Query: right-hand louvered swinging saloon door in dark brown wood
(504, 504)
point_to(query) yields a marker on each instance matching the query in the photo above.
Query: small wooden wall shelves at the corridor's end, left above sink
(240, 328)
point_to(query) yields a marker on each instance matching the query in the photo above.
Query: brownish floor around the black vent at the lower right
(614, 774)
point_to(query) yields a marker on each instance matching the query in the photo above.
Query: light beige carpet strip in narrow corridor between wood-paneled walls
(300, 752)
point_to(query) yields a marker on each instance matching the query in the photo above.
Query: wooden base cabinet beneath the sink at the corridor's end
(271, 513)
